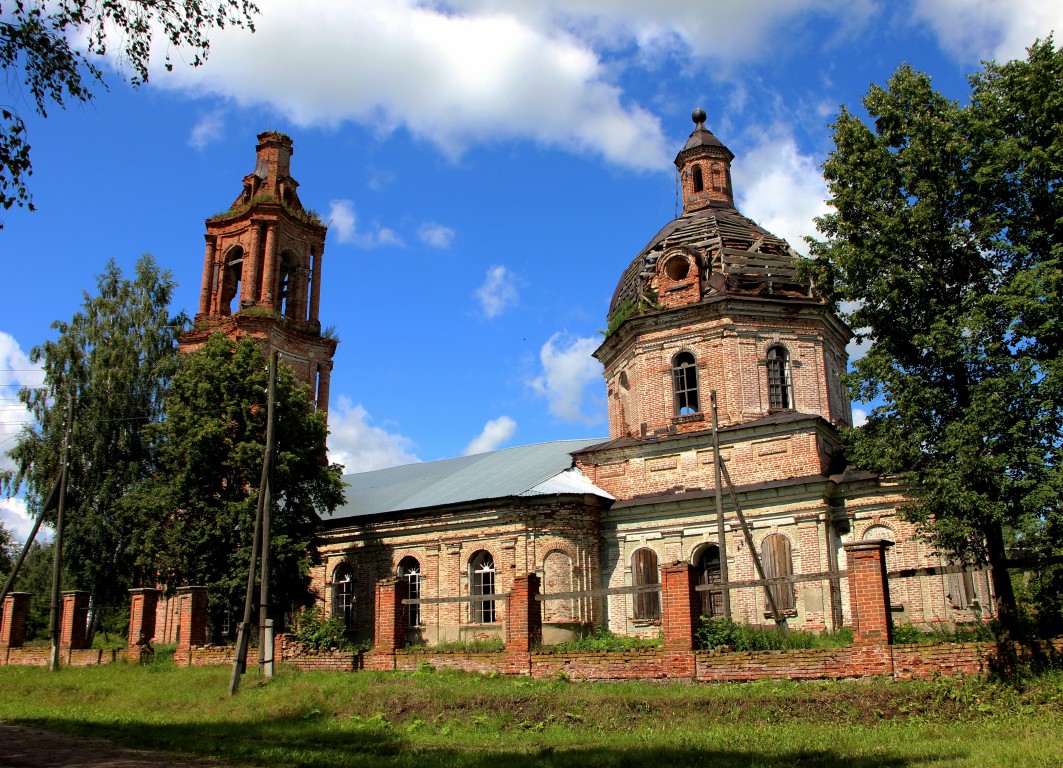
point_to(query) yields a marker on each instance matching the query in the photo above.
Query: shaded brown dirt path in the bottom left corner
(29, 748)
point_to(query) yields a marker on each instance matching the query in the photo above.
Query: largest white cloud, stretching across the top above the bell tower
(450, 77)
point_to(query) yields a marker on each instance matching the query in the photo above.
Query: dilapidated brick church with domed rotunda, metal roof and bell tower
(716, 346)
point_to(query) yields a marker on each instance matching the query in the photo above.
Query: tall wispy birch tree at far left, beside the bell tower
(114, 359)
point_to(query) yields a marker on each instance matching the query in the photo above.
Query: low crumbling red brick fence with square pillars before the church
(872, 654)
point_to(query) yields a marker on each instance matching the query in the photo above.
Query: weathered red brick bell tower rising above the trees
(262, 272)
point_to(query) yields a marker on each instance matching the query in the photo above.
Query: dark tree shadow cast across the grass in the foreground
(314, 742)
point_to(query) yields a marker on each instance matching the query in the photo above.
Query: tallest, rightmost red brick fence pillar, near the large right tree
(869, 593)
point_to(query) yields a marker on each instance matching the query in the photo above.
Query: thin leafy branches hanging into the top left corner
(53, 51)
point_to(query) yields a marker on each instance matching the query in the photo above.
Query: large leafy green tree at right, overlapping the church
(946, 238)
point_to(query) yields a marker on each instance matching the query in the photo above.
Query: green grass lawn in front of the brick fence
(435, 719)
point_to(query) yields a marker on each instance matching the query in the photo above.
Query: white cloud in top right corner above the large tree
(976, 30)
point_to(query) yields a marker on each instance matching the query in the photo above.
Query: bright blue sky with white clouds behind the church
(487, 170)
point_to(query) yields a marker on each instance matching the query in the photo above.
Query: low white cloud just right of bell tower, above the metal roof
(360, 446)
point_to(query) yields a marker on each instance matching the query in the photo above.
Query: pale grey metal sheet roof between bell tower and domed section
(542, 470)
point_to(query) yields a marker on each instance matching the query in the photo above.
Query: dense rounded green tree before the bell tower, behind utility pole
(203, 502)
